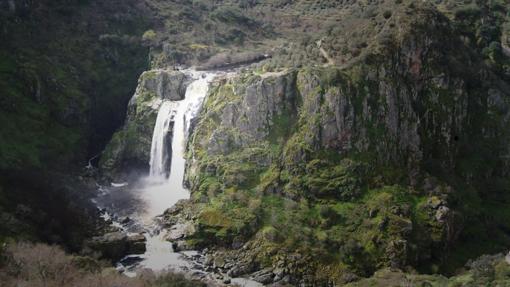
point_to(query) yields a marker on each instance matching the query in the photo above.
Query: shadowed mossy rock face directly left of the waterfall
(129, 150)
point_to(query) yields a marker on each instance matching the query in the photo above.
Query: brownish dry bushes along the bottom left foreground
(38, 265)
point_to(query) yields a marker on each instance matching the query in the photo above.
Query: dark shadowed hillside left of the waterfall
(67, 71)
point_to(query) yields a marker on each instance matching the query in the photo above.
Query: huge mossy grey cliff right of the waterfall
(390, 161)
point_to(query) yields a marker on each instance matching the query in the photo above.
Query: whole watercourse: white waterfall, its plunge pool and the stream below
(135, 208)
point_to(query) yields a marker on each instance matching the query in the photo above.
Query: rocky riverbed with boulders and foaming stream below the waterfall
(131, 245)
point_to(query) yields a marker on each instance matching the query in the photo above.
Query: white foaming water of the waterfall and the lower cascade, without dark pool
(161, 192)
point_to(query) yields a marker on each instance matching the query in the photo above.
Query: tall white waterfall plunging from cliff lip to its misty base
(165, 185)
